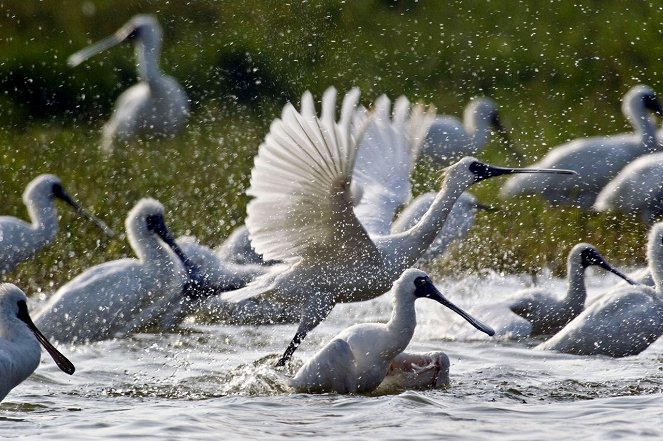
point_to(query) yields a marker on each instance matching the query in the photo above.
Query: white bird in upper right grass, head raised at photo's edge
(597, 160)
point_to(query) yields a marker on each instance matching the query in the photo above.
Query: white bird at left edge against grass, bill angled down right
(20, 240)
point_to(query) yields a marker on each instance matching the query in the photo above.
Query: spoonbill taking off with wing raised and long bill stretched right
(305, 168)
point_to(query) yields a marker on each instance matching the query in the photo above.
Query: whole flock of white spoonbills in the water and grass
(332, 220)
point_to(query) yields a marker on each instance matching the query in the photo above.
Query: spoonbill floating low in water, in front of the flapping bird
(359, 358)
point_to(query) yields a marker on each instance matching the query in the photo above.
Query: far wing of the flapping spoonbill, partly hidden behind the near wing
(386, 157)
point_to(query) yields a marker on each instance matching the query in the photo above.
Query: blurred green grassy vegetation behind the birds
(557, 69)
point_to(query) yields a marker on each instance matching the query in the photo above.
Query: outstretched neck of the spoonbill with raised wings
(408, 246)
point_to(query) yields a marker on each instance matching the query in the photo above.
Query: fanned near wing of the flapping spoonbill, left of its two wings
(302, 206)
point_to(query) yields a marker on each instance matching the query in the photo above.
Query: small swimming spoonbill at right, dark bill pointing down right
(537, 311)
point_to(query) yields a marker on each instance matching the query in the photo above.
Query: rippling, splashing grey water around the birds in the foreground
(216, 382)
